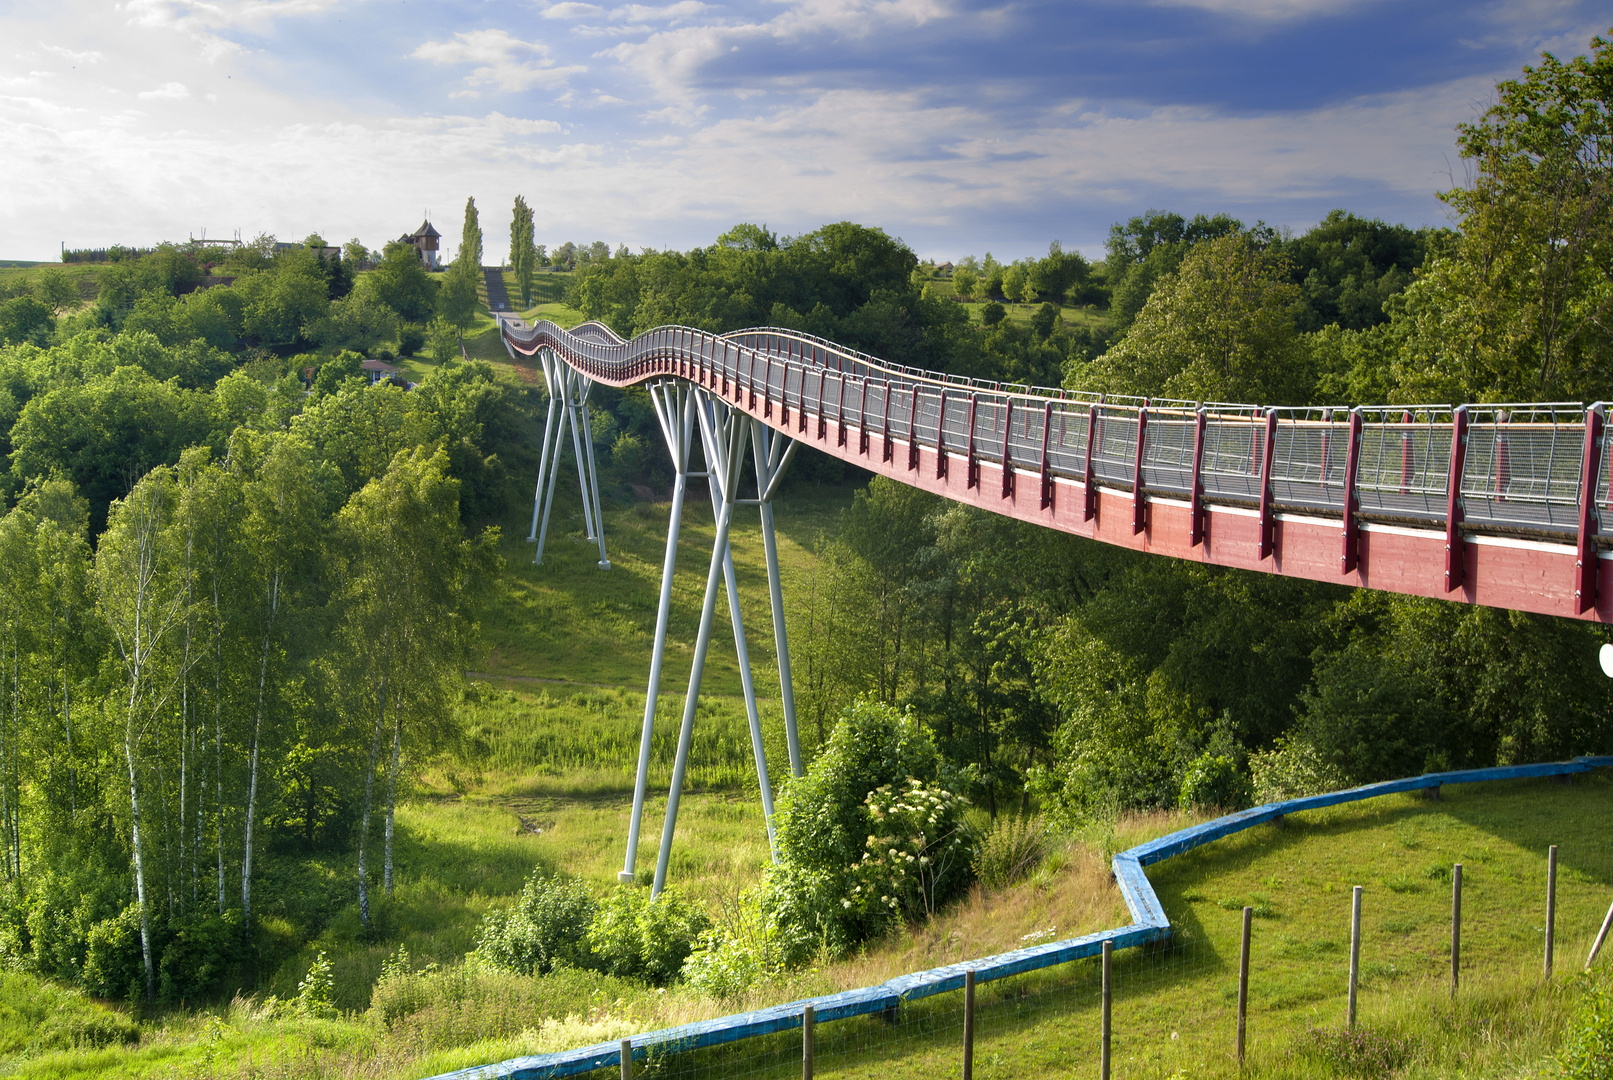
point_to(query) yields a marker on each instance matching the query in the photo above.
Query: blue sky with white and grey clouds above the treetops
(962, 127)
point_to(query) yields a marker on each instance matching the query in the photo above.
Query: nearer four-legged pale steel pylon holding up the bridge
(727, 434)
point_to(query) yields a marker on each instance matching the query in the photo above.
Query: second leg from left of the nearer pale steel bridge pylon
(720, 431)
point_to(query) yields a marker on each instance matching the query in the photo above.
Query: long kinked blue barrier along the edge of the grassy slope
(1149, 924)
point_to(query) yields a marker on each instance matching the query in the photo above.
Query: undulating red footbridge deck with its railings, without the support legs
(1496, 505)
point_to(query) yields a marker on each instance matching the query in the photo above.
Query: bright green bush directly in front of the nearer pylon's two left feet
(636, 937)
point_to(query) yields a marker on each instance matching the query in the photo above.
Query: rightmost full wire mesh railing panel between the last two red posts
(1523, 470)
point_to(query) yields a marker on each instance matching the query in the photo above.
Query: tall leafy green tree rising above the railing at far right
(1520, 309)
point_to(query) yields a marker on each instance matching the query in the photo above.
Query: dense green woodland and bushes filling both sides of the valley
(236, 610)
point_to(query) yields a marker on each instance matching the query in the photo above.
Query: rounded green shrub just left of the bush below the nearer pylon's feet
(548, 926)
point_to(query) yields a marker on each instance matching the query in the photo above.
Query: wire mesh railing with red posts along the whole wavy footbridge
(1520, 468)
